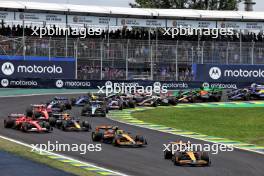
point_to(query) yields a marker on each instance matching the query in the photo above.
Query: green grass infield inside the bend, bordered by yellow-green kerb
(241, 124)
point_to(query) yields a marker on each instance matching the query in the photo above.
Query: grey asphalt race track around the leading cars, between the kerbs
(146, 161)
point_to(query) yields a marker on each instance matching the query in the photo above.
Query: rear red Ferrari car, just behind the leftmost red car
(38, 111)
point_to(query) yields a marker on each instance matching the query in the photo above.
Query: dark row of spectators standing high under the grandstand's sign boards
(138, 34)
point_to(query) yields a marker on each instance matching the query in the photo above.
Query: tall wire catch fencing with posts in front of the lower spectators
(101, 59)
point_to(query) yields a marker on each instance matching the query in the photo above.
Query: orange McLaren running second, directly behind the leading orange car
(112, 134)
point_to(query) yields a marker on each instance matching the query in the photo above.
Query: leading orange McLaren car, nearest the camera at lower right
(188, 157)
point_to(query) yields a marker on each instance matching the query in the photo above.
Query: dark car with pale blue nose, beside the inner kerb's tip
(95, 109)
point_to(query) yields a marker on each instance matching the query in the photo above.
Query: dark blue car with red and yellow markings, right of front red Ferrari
(67, 123)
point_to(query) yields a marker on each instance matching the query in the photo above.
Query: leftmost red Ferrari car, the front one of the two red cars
(26, 124)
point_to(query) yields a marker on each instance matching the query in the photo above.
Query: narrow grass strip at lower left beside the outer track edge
(26, 153)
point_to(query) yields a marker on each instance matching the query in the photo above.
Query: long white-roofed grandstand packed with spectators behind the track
(132, 44)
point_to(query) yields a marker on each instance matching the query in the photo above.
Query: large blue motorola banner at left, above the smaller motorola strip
(37, 67)
